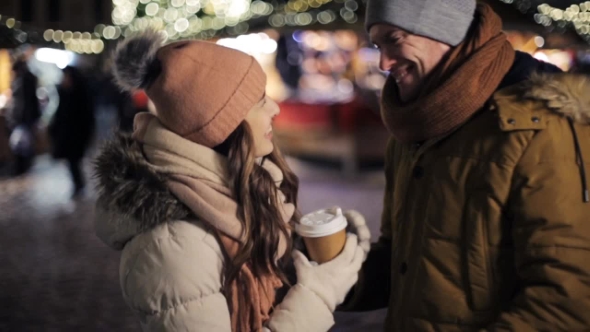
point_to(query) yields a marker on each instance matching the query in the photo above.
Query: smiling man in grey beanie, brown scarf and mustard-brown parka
(486, 221)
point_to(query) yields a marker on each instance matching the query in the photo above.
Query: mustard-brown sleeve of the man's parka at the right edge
(551, 234)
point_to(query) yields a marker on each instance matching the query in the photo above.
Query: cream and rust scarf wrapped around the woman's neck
(198, 178)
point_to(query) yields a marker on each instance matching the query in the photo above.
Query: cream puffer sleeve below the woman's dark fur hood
(174, 284)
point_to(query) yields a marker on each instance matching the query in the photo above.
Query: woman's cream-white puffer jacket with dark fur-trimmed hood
(171, 266)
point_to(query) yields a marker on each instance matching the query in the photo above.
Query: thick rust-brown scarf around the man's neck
(457, 88)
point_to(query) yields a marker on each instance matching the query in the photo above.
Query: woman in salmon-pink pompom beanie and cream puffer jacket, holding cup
(200, 201)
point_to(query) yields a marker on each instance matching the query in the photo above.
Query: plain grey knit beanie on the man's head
(444, 20)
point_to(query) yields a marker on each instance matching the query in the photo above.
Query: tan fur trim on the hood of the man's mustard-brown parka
(564, 93)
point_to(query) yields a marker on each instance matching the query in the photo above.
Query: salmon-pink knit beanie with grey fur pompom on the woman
(202, 91)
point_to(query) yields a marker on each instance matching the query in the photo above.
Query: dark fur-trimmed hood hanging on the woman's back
(132, 197)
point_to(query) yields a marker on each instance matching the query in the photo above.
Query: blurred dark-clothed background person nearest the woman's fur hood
(71, 128)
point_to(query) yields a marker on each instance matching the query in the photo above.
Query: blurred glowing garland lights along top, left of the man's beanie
(199, 19)
